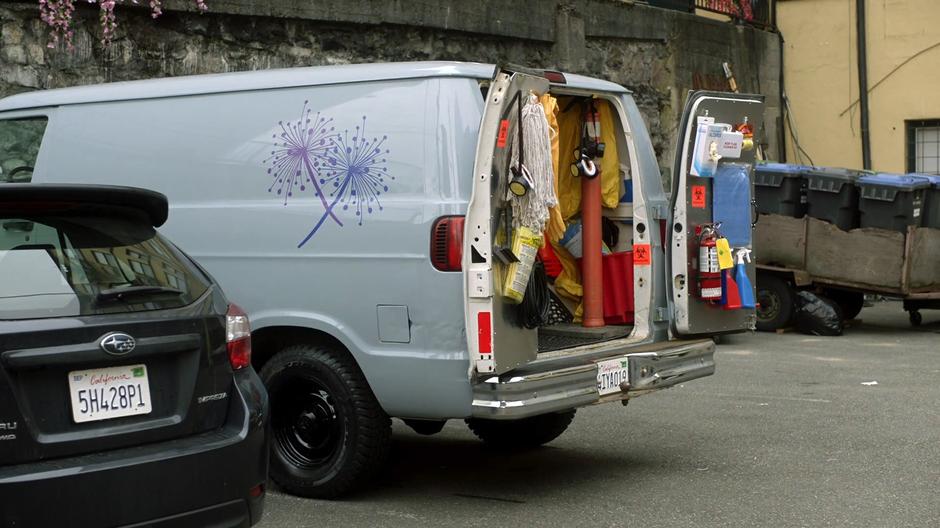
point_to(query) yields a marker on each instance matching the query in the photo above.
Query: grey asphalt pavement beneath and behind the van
(792, 430)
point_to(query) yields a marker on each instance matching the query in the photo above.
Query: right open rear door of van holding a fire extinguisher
(712, 183)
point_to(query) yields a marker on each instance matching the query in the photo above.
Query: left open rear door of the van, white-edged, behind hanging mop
(496, 343)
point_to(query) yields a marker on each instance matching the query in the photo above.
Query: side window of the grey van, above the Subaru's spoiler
(19, 147)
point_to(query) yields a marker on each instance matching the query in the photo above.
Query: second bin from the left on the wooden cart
(831, 195)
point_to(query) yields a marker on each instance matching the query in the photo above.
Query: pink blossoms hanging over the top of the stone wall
(57, 14)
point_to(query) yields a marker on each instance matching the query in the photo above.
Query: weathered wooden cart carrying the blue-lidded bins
(807, 253)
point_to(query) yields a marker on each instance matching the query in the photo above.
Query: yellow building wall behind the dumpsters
(821, 76)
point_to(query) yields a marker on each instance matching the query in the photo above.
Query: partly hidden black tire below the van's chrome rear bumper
(521, 434)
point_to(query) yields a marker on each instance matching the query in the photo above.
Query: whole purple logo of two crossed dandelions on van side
(347, 171)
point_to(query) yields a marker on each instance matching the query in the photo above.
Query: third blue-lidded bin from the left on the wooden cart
(891, 201)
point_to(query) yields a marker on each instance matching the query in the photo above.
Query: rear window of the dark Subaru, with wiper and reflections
(84, 265)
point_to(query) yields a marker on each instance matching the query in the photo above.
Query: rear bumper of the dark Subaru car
(197, 481)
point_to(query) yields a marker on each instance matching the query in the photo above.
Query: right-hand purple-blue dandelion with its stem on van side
(354, 174)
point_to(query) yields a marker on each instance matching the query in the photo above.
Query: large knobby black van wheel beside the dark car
(329, 435)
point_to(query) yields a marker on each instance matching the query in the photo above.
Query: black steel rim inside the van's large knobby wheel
(308, 426)
